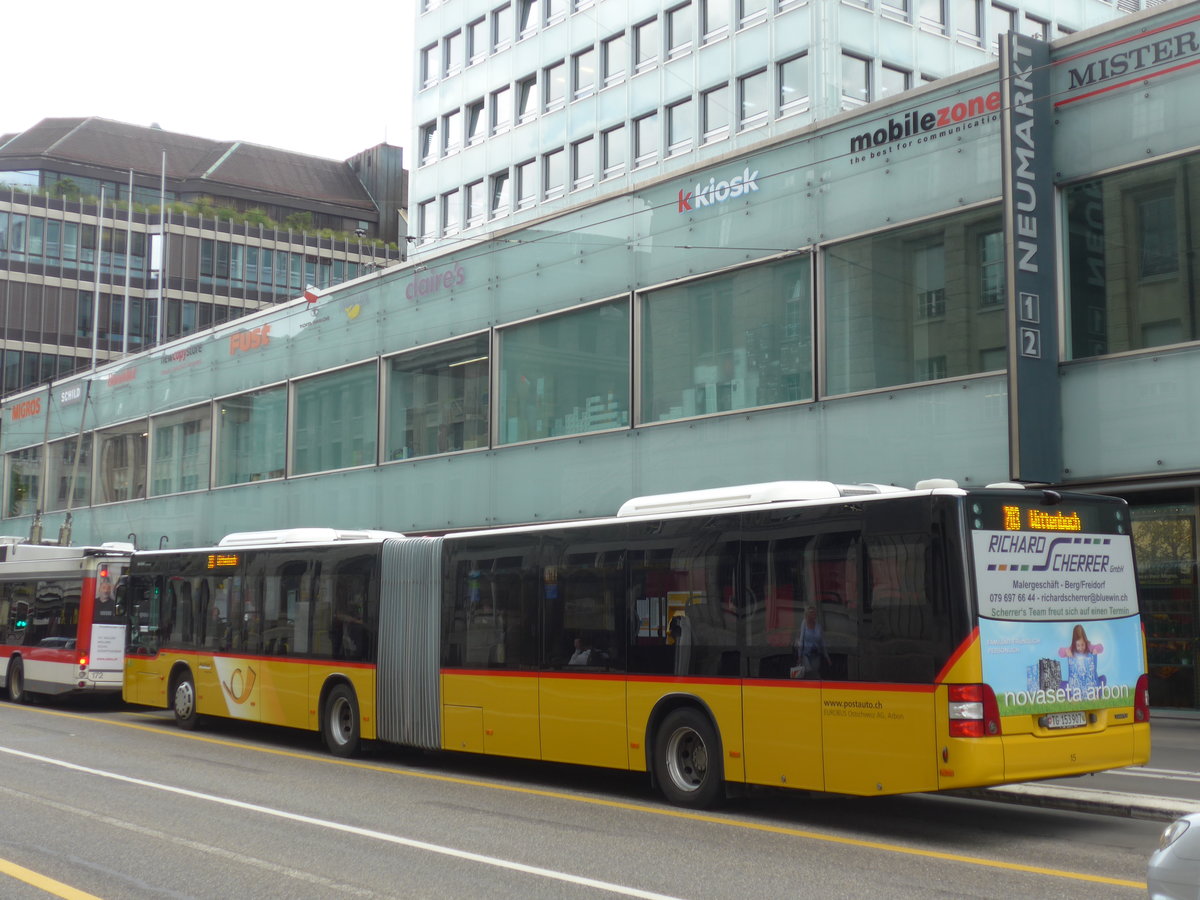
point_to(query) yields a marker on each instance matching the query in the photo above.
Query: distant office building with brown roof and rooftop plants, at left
(247, 226)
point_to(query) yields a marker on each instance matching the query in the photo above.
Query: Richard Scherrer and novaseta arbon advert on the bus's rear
(1059, 623)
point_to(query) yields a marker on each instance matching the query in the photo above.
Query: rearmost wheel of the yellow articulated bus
(688, 761)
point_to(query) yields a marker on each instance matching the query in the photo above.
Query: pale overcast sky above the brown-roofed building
(322, 79)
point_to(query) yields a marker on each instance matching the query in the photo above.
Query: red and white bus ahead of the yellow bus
(61, 628)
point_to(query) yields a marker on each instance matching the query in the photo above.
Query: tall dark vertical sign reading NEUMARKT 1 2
(1035, 429)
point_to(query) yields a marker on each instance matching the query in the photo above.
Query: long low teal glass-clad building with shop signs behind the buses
(837, 304)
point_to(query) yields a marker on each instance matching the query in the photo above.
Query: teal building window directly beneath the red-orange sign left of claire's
(251, 436)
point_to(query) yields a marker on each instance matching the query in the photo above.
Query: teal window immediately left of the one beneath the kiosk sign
(566, 375)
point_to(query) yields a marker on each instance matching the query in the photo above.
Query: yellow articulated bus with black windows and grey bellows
(851, 639)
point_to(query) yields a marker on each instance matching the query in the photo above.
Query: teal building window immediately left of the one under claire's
(335, 421)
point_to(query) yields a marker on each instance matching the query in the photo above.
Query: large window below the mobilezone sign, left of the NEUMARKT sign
(899, 302)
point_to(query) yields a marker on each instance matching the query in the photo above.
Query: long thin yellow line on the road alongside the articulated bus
(667, 812)
